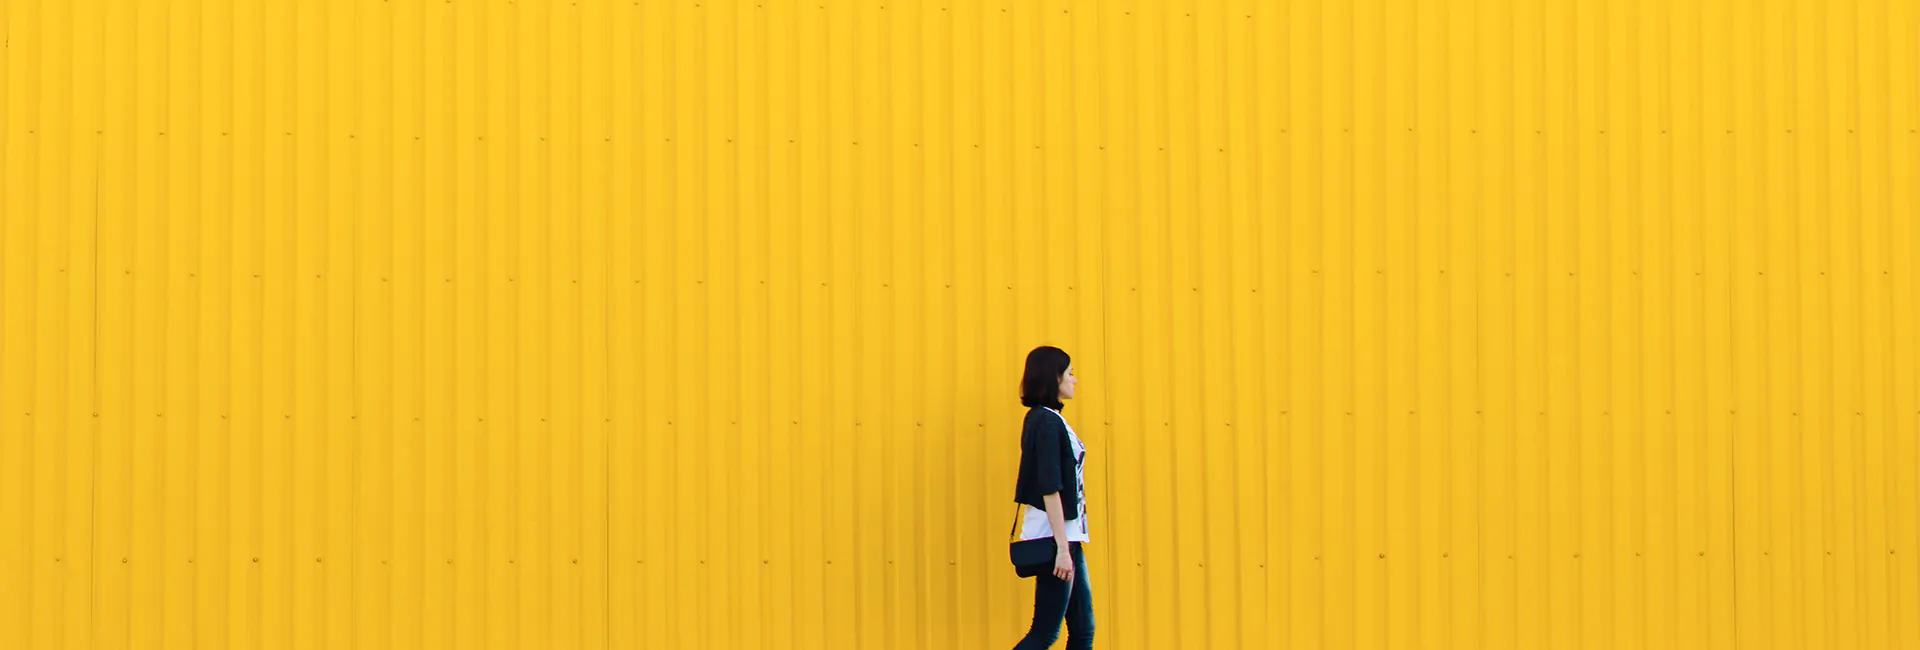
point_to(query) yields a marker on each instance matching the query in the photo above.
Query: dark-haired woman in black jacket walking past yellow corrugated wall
(1053, 503)
